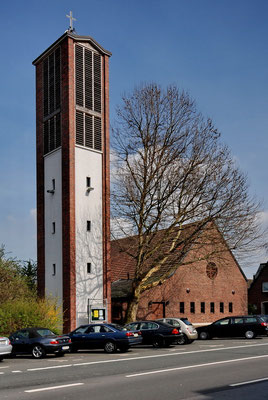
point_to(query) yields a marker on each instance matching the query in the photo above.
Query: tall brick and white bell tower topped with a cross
(73, 177)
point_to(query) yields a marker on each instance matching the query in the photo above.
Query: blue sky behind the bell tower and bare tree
(215, 49)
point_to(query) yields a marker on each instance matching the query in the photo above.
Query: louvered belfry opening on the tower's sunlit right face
(88, 98)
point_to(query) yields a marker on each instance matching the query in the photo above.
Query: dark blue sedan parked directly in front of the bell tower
(109, 337)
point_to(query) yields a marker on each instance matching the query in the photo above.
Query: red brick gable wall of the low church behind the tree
(201, 289)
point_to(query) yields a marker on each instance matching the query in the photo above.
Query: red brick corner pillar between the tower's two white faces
(68, 185)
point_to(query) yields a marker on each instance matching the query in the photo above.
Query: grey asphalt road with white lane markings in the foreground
(207, 370)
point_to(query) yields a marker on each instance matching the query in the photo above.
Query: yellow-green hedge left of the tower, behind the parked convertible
(31, 312)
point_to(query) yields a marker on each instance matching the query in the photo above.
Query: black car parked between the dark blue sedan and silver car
(157, 333)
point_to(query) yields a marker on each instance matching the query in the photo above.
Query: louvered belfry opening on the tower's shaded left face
(51, 101)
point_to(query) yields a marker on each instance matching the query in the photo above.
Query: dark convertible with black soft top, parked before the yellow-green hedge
(39, 342)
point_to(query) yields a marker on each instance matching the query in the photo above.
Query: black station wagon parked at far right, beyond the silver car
(248, 326)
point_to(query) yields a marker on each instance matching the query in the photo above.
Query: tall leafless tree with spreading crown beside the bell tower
(171, 170)
